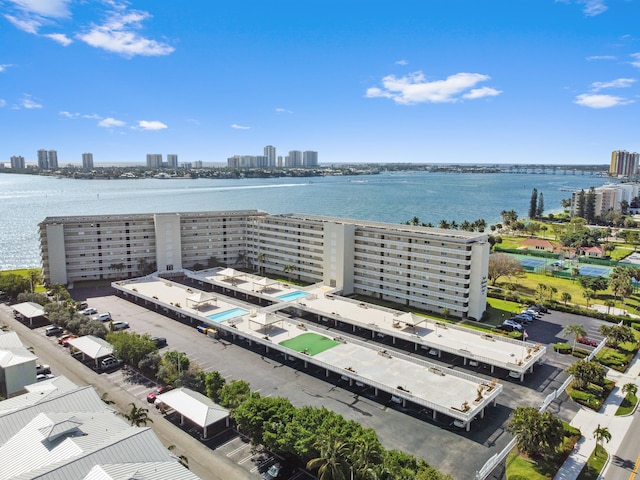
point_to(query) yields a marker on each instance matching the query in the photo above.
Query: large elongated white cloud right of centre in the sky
(414, 88)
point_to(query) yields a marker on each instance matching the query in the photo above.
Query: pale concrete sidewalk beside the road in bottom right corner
(587, 421)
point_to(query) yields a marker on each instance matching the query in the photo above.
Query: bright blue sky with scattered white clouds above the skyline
(439, 81)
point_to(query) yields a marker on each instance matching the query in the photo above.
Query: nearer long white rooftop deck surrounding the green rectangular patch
(434, 387)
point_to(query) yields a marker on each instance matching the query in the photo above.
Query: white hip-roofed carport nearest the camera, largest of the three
(198, 408)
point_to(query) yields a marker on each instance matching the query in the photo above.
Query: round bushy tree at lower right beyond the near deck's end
(535, 432)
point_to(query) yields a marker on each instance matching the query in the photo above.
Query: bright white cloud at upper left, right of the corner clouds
(118, 34)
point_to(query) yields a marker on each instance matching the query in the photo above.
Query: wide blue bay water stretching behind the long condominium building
(395, 197)
